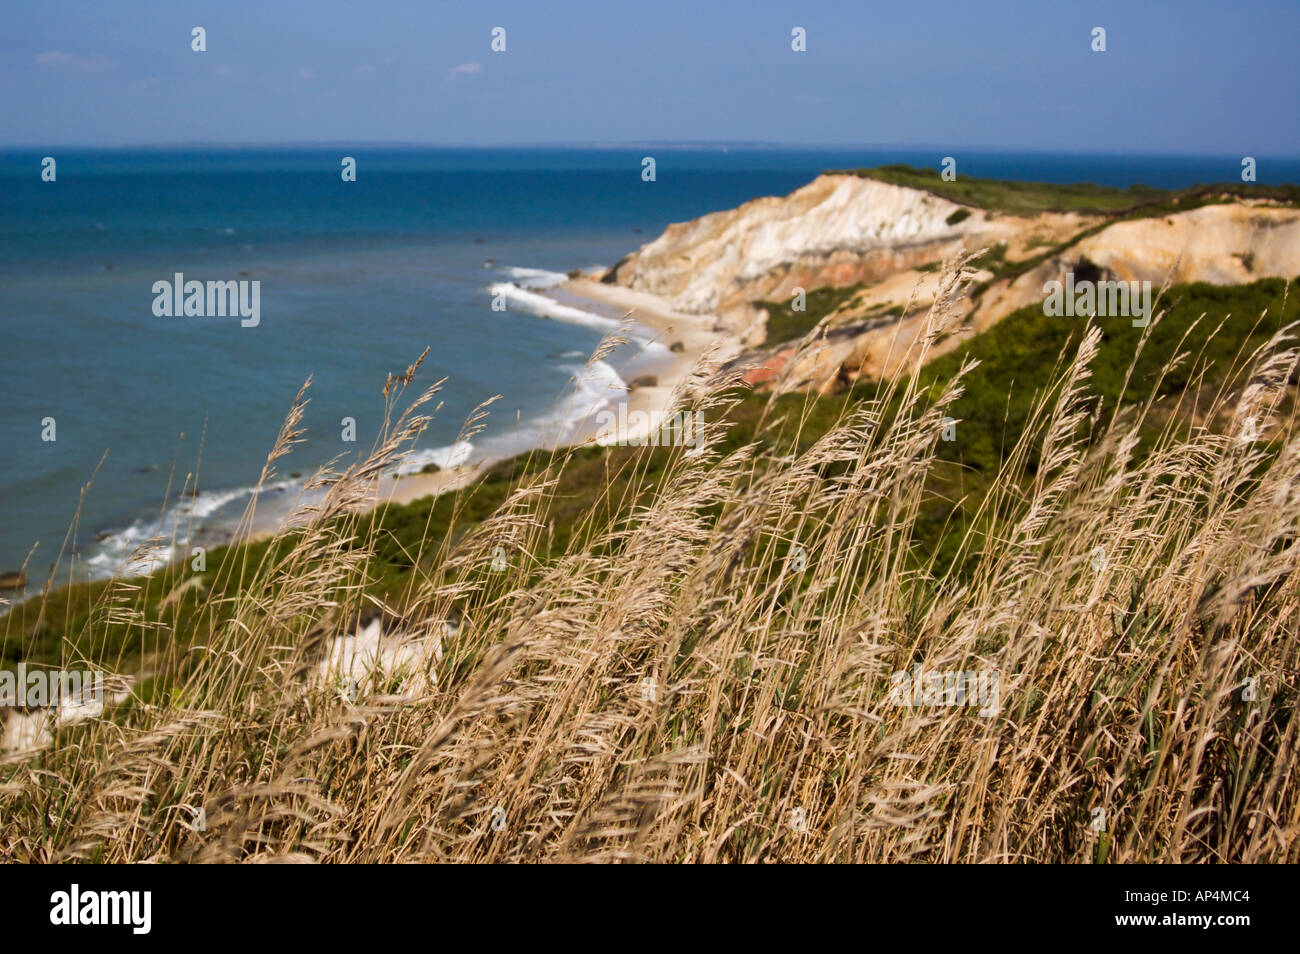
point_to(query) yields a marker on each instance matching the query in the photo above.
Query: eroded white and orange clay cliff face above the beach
(844, 231)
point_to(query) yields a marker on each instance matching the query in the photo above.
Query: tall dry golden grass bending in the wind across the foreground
(684, 686)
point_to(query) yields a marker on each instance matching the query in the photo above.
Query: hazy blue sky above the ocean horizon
(1191, 77)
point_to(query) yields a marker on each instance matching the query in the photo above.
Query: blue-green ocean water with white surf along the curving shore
(357, 280)
